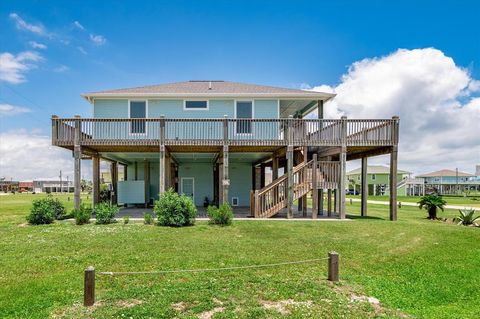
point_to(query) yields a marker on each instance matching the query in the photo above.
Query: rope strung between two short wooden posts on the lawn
(89, 276)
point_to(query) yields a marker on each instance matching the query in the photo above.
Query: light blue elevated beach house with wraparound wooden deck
(217, 140)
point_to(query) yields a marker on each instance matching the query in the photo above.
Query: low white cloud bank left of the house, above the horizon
(26, 156)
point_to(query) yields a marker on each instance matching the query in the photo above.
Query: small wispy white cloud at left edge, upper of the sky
(13, 67)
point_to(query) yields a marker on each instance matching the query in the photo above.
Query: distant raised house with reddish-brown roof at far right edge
(447, 181)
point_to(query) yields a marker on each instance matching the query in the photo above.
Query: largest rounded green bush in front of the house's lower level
(175, 210)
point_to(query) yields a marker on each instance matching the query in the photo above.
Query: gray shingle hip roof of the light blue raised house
(209, 88)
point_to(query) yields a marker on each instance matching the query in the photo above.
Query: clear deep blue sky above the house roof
(81, 46)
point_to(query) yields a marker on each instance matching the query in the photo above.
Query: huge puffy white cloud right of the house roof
(435, 99)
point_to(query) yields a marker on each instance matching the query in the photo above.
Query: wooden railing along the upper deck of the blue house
(249, 132)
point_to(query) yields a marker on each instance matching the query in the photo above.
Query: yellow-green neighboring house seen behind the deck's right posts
(378, 179)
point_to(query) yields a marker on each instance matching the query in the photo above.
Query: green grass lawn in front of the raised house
(415, 267)
